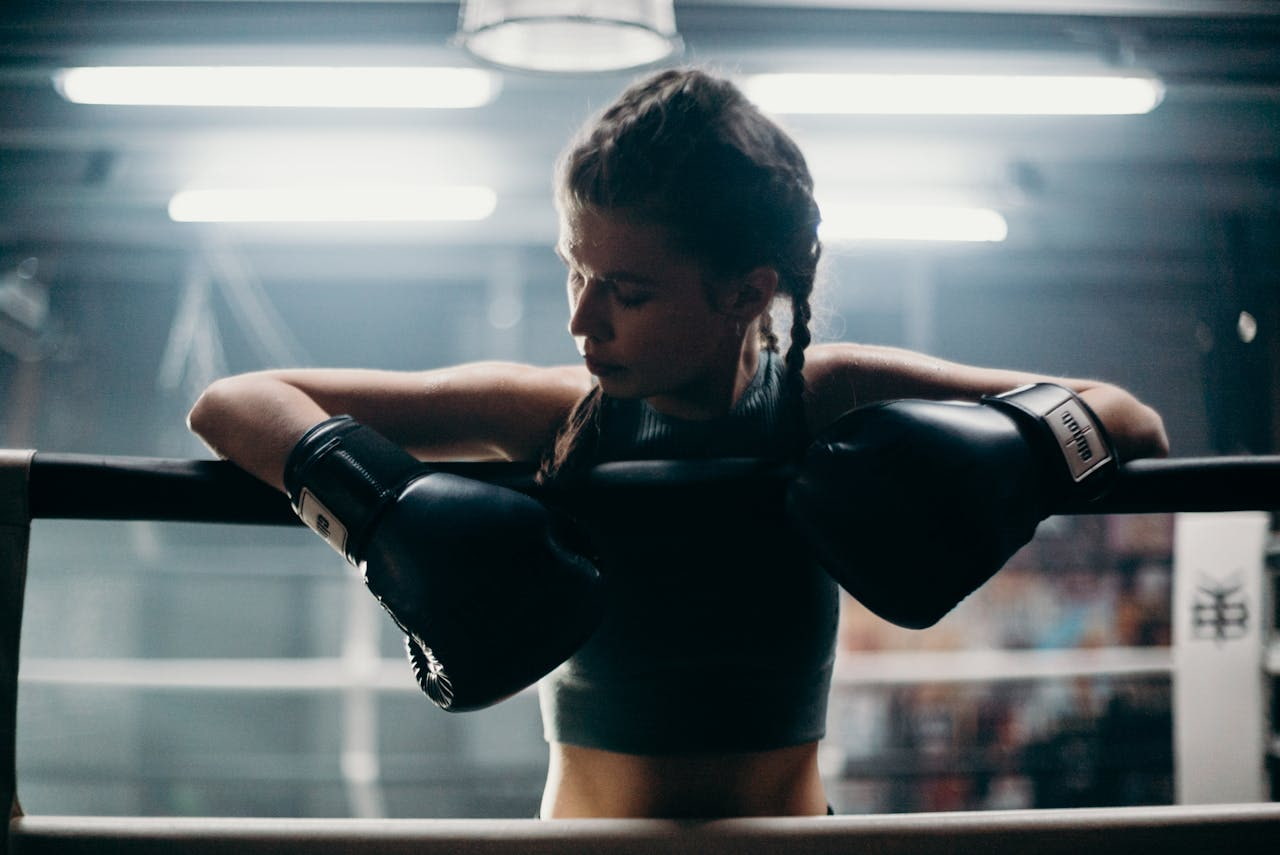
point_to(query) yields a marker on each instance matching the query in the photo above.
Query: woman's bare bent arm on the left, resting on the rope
(478, 412)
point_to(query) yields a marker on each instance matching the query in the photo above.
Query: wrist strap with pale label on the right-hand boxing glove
(1082, 458)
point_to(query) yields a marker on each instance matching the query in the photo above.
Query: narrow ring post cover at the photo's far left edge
(15, 531)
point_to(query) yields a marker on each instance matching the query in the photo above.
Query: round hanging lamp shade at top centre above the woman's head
(570, 35)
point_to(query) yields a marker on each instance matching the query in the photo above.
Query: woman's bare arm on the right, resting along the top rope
(842, 377)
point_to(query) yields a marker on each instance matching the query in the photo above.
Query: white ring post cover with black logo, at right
(1219, 625)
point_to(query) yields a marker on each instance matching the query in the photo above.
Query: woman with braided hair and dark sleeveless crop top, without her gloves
(685, 216)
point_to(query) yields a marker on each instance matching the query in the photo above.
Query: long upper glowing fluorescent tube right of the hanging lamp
(954, 94)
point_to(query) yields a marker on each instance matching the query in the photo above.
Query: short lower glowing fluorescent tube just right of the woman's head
(848, 223)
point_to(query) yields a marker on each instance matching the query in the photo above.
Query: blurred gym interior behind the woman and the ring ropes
(208, 670)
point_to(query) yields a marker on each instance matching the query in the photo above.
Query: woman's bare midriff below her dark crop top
(591, 783)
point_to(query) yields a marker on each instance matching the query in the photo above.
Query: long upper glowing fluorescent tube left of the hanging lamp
(278, 86)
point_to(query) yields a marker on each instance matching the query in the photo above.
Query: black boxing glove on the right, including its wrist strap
(913, 505)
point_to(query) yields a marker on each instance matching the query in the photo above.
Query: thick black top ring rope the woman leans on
(86, 487)
